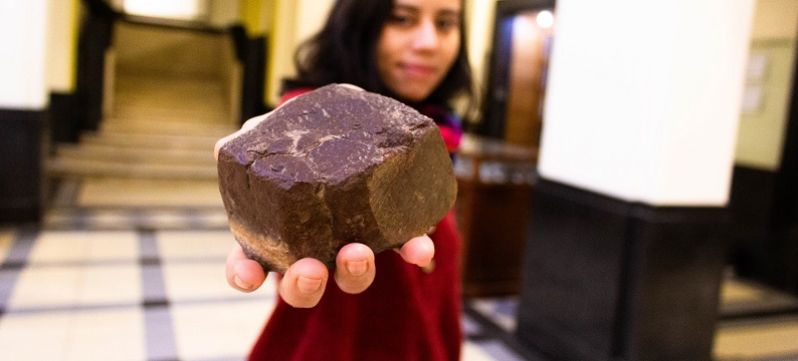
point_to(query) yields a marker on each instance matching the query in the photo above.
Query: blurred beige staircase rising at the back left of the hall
(160, 128)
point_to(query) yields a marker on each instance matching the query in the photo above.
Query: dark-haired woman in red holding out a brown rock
(411, 50)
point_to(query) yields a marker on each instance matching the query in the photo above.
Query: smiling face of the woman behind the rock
(418, 44)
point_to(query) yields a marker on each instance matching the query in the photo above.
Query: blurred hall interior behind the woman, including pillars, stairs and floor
(628, 183)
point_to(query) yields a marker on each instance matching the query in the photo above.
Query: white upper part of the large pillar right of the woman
(644, 98)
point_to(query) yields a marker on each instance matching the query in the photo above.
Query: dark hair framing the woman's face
(344, 51)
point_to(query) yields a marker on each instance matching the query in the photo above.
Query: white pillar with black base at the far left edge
(23, 109)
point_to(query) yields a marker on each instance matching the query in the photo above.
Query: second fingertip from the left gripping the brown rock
(303, 283)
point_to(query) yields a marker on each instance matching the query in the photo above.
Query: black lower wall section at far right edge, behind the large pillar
(765, 206)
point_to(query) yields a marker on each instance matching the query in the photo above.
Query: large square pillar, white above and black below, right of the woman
(625, 250)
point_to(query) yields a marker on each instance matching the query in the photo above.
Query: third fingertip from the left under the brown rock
(355, 268)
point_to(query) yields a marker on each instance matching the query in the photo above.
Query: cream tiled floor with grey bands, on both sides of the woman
(94, 292)
